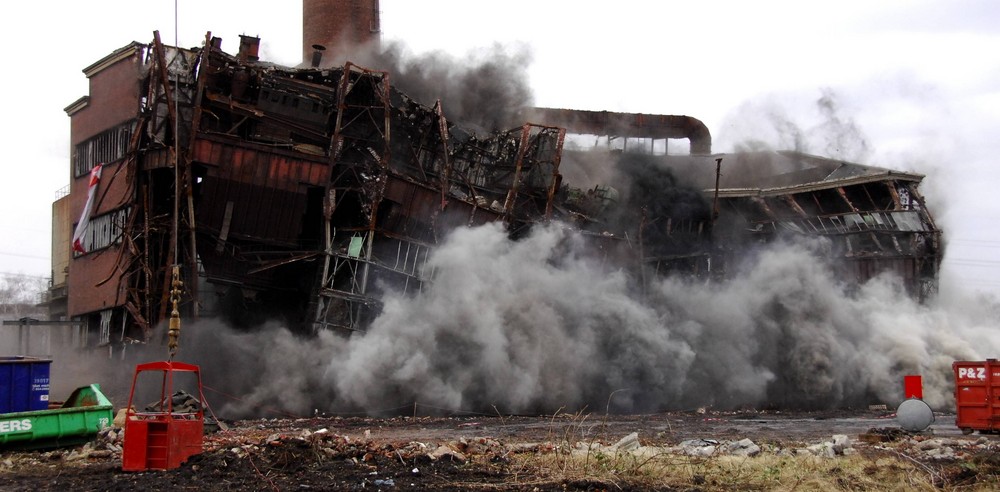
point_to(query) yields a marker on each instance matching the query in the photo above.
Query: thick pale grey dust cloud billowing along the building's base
(537, 325)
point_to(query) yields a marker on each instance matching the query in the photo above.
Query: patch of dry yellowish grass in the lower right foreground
(568, 463)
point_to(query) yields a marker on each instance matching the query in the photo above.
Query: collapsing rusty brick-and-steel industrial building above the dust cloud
(301, 193)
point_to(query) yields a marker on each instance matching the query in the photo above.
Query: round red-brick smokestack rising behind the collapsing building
(338, 24)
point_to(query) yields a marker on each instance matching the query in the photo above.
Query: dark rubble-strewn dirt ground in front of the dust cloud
(463, 453)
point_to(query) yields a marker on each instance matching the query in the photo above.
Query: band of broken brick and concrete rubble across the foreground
(257, 439)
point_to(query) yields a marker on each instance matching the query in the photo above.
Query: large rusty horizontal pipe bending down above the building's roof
(637, 125)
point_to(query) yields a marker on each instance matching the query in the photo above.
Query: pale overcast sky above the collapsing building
(920, 81)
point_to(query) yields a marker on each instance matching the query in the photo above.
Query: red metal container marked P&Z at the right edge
(977, 395)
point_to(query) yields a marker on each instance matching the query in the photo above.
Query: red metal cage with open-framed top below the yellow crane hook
(164, 438)
